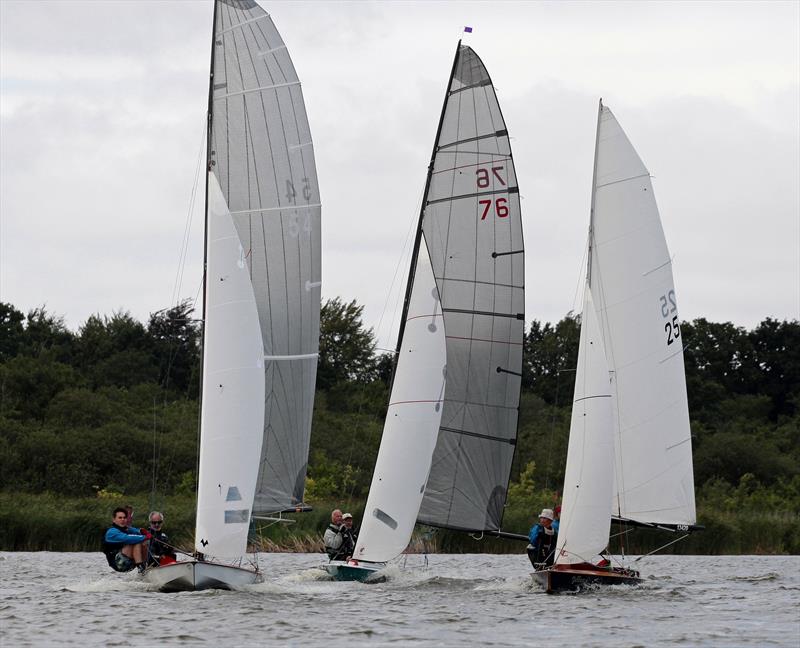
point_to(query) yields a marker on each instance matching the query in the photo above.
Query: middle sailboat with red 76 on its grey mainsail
(450, 430)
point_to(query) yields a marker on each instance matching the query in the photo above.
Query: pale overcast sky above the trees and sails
(102, 117)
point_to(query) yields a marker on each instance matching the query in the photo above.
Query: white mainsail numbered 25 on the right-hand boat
(632, 285)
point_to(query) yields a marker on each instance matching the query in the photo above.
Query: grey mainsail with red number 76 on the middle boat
(473, 233)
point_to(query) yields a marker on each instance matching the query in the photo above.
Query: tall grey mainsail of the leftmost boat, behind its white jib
(260, 151)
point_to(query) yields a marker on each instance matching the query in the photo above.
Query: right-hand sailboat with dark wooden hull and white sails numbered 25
(629, 457)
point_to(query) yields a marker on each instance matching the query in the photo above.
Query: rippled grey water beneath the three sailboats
(483, 600)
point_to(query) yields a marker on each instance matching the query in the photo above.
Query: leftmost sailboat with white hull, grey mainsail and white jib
(262, 298)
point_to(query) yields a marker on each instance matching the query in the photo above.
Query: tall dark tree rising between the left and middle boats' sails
(346, 348)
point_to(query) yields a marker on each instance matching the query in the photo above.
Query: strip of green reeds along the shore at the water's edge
(49, 522)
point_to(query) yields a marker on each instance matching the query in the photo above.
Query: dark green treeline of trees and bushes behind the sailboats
(110, 411)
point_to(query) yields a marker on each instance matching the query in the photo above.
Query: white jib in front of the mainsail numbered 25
(589, 476)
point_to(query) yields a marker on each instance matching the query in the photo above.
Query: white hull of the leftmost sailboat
(194, 576)
